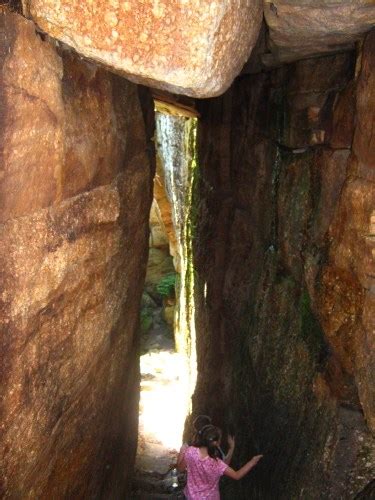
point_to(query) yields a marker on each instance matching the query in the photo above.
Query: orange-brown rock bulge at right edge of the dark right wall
(348, 287)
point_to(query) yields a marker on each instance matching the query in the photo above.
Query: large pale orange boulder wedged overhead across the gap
(192, 48)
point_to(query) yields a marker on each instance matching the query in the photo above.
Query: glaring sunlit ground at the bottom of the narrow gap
(163, 408)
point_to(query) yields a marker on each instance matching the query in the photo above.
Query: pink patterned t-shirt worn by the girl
(203, 475)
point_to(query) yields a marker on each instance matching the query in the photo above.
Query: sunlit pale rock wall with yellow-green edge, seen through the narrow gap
(177, 153)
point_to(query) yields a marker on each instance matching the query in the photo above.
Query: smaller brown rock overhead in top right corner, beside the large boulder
(304, 28)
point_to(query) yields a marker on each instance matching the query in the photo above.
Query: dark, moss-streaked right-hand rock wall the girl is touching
(284, 252)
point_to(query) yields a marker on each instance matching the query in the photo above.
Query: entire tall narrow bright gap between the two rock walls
(167, 309)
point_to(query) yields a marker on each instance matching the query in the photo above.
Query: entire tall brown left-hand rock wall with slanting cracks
(75, 191)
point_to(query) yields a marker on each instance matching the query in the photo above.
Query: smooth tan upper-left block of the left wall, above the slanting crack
(31, 144)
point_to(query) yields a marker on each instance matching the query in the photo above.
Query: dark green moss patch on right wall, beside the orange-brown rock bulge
(311, 330)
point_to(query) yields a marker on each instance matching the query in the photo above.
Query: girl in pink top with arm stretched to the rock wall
(204, 467)
